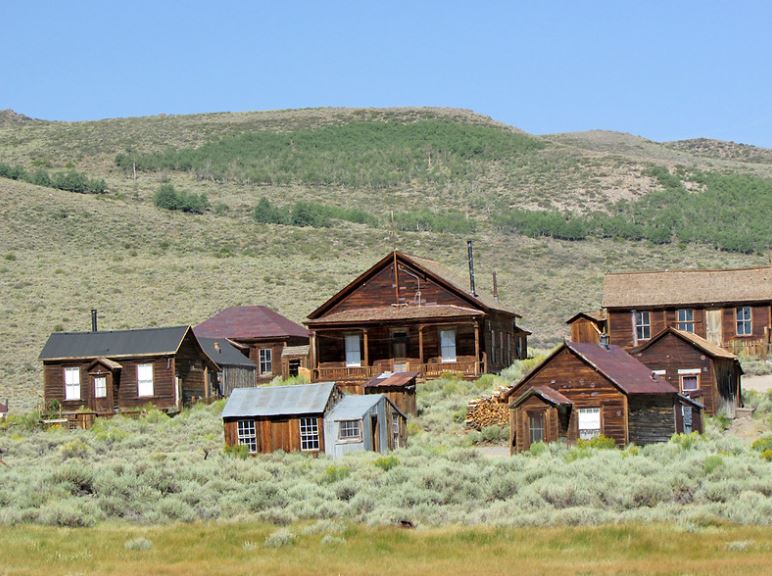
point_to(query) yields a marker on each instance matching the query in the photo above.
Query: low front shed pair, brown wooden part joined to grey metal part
(313, 418)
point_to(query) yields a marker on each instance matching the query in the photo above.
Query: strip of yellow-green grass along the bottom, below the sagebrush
(240, 548)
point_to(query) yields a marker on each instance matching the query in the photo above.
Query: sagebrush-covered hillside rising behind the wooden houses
(64, 253)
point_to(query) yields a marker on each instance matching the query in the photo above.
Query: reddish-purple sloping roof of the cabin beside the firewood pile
(621, 368)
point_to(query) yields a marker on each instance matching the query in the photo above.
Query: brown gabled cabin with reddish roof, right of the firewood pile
(583, 390)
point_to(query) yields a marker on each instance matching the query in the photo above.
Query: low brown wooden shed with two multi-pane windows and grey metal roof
(270, 418)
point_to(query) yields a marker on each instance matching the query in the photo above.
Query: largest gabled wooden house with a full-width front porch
(408, 314)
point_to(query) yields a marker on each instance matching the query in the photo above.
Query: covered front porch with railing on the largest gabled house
(352, 353)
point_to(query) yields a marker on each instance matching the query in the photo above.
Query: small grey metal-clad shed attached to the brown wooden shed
(364, 423)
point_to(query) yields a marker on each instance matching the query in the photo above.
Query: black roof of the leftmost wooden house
(113, 343)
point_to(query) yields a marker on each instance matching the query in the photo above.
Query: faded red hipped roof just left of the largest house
(246, 322)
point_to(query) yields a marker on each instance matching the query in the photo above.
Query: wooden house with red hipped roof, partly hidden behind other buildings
(263, 333)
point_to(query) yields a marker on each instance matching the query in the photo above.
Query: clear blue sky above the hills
(663, 69)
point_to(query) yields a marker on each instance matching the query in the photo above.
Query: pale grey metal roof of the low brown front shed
(278, 400)
